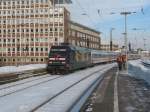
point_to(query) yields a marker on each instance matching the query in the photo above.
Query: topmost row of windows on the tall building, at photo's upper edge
(18, 2)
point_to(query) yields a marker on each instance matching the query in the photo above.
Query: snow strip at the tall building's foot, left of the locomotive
(13, 69)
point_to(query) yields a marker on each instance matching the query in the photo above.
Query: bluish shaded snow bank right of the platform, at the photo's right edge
(138, 70)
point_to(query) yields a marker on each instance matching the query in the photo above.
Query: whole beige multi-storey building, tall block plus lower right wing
(28, 28)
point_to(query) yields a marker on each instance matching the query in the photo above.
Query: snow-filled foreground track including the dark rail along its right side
(33, 98)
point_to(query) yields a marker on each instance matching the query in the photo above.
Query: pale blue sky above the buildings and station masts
(102, 15)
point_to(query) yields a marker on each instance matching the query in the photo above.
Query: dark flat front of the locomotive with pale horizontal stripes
(58, 61)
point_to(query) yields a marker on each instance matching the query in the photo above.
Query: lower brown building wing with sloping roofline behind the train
(83, 36)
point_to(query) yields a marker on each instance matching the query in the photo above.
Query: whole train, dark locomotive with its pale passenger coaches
(66, 58)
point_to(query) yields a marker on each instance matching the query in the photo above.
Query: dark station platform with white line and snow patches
(119, 92)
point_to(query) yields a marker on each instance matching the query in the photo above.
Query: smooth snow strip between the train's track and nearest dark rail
(29, 98)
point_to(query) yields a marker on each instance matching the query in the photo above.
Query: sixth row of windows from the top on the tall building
(31, 30)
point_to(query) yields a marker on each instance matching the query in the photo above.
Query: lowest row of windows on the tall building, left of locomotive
(22, 60)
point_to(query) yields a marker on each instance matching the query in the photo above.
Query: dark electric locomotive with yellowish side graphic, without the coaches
(66, 58)
